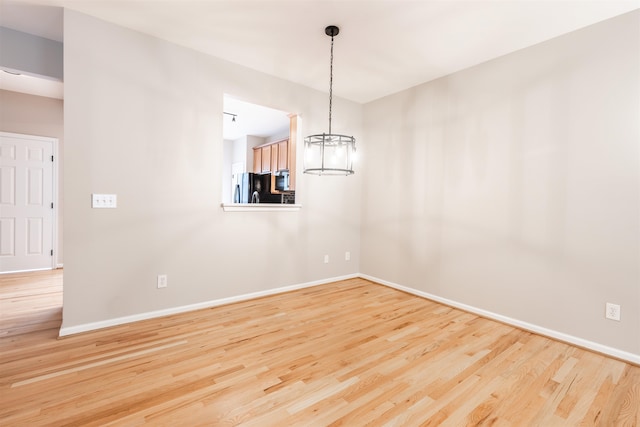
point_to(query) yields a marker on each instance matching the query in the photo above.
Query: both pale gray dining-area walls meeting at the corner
(513, 186)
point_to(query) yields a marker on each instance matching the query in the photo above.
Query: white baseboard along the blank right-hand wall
(590, 345)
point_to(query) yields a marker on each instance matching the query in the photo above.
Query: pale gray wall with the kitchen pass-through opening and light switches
(143, 119)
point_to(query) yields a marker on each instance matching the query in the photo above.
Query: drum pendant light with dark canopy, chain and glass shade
(329, 153)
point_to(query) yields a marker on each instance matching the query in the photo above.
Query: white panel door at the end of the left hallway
(26, 203)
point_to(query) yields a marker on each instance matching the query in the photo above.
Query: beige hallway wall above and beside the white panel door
(40, 116)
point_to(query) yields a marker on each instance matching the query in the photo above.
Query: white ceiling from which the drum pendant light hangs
(383, 47)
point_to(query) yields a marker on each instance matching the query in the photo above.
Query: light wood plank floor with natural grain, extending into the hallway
(348, 353)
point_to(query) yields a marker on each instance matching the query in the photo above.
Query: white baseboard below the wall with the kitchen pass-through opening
(87, 327)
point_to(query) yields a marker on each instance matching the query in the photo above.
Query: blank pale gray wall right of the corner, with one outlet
(514, 186)
